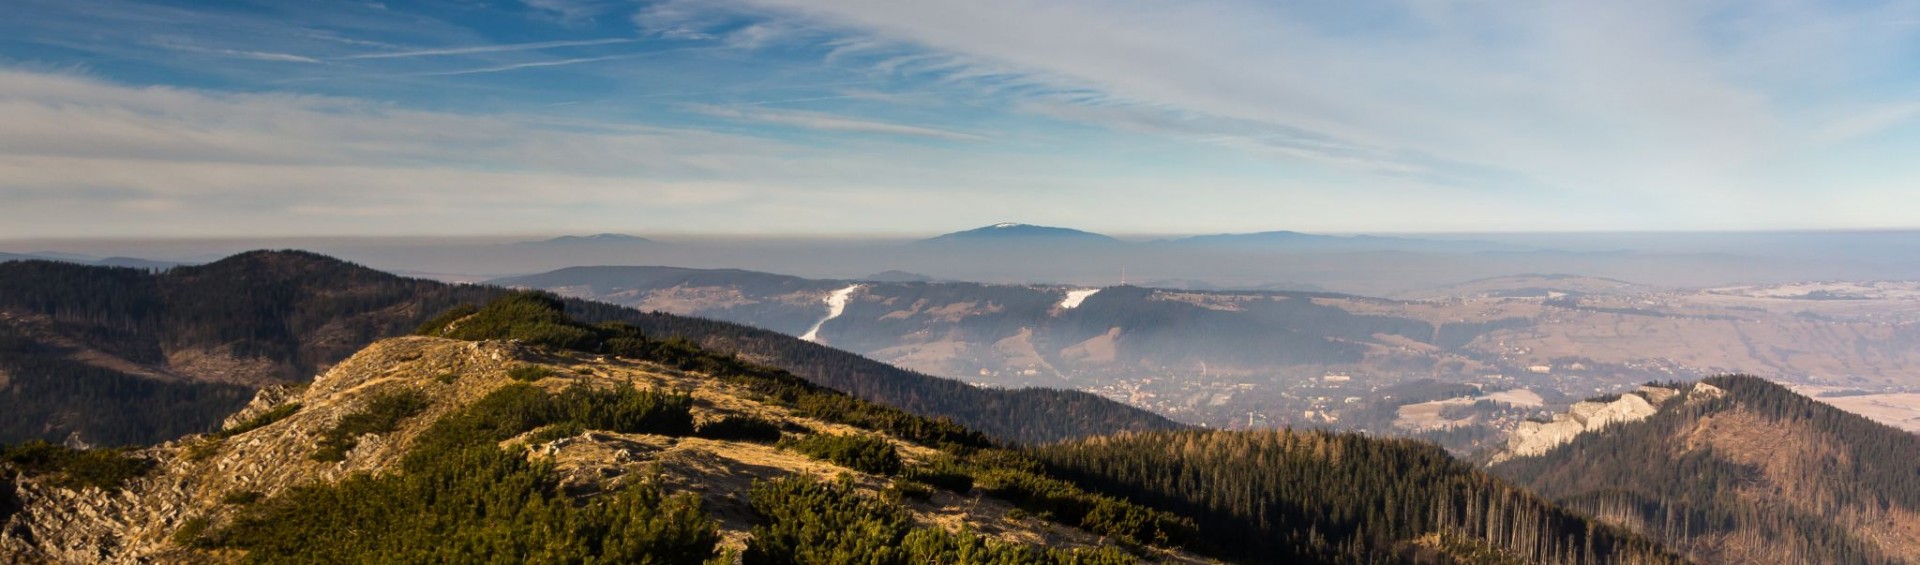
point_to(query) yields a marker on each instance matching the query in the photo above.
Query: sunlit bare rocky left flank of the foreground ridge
(191, 476)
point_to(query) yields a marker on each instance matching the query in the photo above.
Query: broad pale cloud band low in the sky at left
(82, 157)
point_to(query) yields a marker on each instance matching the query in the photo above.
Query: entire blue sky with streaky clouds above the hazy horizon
(903, 118)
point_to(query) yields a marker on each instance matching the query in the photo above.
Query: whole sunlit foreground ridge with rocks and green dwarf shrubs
(564, 445)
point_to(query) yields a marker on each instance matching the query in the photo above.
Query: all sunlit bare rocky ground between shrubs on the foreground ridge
(193, 479)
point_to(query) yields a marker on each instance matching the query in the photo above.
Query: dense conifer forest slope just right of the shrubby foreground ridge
(1285, 497)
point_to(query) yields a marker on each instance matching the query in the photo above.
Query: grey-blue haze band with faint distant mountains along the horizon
(1368, 268)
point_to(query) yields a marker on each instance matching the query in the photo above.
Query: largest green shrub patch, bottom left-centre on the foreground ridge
(460, 499)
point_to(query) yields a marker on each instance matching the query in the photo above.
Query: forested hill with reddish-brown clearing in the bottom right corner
(1740, 470)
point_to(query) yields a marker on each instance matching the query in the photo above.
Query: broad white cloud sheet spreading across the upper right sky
(1673, 103)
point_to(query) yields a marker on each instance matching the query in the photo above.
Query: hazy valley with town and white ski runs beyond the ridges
(1236, 360)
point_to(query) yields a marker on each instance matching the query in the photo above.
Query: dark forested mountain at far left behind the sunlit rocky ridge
(126, 356)
